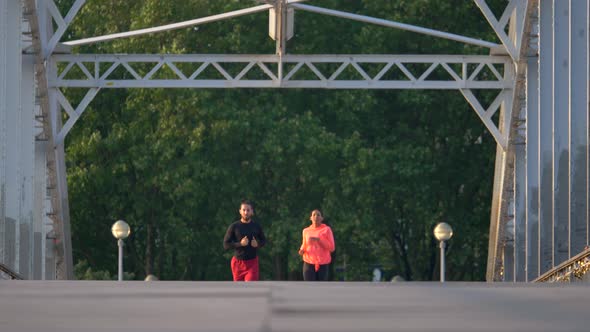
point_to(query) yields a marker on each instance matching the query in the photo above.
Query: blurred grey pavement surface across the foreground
(89, 306)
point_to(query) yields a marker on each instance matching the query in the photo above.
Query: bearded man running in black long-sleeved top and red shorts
(245, 236)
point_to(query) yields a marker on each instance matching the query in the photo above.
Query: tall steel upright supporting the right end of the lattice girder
(505, 200)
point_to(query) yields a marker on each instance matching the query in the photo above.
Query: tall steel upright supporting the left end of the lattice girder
(53, 248)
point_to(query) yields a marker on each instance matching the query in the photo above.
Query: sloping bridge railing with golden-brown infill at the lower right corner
(575, 269)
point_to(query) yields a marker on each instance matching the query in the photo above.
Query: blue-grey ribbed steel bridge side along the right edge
(553, 168)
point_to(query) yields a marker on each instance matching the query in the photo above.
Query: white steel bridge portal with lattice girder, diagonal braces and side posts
(451, 72)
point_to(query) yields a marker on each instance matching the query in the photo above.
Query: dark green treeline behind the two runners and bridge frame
(384, 166)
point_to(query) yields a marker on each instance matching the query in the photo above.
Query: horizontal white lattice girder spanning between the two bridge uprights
(290, 71)
